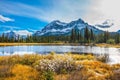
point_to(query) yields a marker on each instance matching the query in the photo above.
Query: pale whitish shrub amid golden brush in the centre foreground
(57, 65)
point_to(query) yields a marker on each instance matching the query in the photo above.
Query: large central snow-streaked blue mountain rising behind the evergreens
(61, 28)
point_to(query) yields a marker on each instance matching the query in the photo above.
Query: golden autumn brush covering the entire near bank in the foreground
(56, 67)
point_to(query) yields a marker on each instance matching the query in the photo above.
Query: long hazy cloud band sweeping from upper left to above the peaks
(64, 10)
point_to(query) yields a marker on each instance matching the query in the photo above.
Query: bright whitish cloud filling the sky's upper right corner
(101, 10)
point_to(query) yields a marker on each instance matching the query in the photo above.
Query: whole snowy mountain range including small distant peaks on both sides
(61, 28)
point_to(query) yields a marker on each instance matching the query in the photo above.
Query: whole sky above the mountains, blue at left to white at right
(27, 16)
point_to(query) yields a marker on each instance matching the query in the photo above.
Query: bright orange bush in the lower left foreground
(23, 72)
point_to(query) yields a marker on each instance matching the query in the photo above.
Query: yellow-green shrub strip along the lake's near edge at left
(17, 59)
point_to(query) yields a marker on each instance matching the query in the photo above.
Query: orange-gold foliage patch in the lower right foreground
(98, 68)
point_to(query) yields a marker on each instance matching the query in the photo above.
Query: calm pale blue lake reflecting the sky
(114, 53)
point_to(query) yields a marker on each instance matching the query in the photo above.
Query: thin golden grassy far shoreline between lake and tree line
(66, 44)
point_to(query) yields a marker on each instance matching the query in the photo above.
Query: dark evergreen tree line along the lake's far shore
(76, 36)
